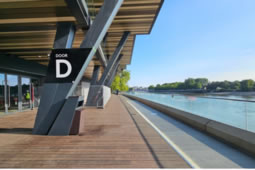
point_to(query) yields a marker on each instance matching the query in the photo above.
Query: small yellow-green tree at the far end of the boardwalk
(120, 81)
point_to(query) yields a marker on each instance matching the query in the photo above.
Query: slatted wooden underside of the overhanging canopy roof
(28, 27)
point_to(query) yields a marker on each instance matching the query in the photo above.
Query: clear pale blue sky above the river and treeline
(214, 39)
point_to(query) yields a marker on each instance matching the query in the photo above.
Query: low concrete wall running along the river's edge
(236, 137)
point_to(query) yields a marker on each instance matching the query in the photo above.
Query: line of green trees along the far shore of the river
(204, 84)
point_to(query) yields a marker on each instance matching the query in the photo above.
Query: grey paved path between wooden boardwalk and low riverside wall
(203, 150)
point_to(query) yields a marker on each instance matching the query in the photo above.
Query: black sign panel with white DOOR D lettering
(65, 64)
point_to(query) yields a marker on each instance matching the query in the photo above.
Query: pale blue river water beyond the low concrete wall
(240, 114)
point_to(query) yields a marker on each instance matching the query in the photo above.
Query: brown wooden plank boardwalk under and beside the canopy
(109, 138)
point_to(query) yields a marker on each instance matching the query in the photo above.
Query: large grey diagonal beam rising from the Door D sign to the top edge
(96, 34)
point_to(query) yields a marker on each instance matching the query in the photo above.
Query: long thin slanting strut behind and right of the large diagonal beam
(114, 57)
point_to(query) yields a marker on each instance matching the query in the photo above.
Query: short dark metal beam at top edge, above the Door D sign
(80, 11)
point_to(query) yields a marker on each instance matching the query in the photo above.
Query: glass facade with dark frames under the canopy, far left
(18, 93)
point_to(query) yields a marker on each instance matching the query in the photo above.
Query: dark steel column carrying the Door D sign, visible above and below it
(54, 94)
